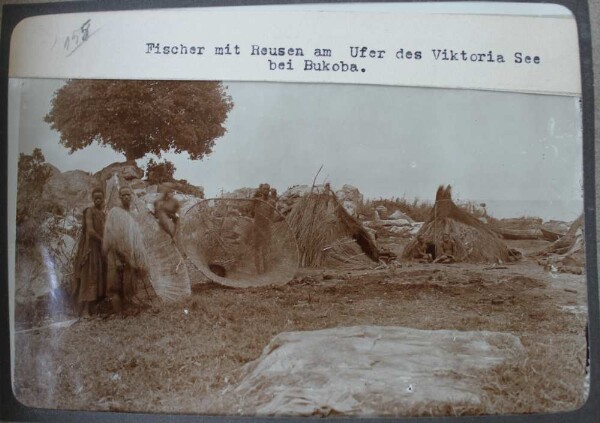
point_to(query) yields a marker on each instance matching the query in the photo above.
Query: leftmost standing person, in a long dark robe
(89, 283)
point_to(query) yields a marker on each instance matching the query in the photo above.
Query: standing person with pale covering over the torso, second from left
(126, 256)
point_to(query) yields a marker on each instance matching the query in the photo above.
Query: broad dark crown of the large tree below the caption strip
(140, 117)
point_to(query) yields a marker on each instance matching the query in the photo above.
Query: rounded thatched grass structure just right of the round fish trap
(327, 235)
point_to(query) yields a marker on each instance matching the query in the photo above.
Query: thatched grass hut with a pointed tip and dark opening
(474, 241)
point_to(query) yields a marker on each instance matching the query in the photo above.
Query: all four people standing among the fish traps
(111, 263)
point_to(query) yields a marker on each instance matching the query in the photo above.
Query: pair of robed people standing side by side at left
(111, 263)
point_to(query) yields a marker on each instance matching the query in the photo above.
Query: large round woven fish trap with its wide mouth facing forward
(240, 242)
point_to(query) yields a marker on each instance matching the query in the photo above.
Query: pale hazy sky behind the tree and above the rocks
(520, 153)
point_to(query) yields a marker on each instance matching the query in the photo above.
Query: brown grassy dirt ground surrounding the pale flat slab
(180, 358)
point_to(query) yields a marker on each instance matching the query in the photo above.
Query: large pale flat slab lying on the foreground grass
(364, 369)
